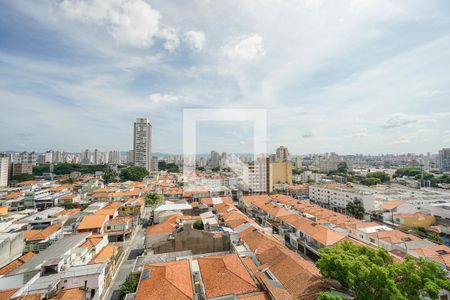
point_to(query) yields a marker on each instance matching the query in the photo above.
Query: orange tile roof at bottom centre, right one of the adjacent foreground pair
(225, 275)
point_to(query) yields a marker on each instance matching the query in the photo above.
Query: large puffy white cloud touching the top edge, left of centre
(133, 23)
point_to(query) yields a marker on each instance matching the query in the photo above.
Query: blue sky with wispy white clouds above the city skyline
(332, 76)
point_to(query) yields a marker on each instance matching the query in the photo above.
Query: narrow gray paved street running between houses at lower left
(133, 248)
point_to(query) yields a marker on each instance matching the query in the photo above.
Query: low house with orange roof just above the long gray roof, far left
(39, 239)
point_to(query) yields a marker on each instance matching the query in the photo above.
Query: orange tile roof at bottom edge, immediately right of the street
(166, 281)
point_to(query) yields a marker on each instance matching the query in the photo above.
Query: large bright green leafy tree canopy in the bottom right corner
(372, 274)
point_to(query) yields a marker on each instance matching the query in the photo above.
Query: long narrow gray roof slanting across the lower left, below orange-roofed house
(58, 249)
